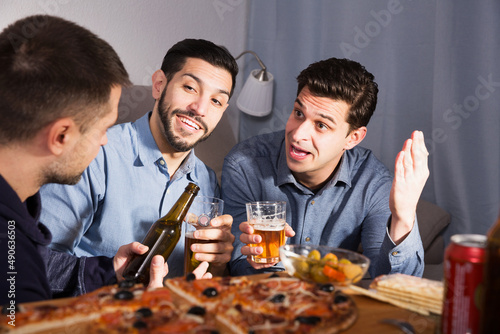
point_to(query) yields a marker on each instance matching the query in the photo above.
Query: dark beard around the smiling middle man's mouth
(178, 143)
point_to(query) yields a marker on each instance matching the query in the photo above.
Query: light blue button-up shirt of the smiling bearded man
(121, 194)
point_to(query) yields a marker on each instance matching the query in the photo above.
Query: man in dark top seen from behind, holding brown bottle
(59, 92)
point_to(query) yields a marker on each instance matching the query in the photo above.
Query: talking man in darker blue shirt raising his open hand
(337, 193)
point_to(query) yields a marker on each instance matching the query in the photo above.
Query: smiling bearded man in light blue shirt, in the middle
(146, 165)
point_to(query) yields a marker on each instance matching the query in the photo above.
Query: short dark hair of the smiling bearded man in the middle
(216, 55)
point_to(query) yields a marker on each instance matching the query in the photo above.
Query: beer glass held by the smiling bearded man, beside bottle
(201, 212)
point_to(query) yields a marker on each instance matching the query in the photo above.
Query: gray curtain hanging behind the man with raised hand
(437, 64)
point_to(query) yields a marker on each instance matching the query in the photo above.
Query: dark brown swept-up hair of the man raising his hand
(345, 80)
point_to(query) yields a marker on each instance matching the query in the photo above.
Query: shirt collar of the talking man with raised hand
(284, 174)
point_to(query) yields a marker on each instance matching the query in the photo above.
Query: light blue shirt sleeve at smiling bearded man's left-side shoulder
(69, 210)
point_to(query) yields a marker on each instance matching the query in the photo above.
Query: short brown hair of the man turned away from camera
(52, 68)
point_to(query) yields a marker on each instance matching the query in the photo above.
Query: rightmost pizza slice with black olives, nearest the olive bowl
(284, 304)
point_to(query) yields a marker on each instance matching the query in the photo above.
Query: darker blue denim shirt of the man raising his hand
(350, 209)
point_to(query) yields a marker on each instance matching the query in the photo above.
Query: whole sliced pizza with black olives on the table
(274, 304)
